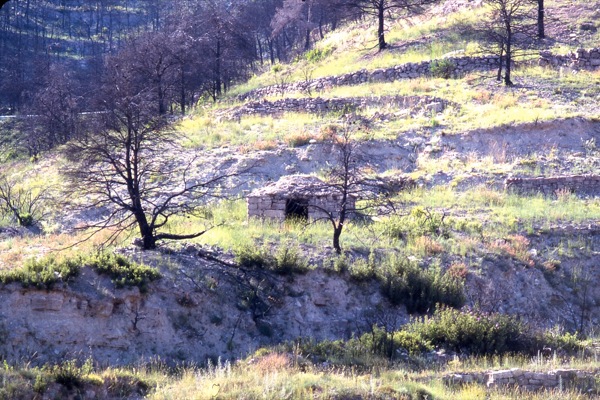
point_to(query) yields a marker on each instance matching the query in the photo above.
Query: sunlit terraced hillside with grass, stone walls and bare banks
(495, 213)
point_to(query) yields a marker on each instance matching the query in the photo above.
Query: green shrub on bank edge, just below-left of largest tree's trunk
(122, 271)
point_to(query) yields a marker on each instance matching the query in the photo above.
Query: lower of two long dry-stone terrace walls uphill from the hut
(415, 104)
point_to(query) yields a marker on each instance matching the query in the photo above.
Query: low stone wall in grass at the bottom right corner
(528, 380)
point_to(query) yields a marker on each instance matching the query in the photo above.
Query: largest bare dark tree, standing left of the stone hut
(129, 165)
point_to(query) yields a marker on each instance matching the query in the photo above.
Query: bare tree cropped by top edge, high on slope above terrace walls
(383, 9)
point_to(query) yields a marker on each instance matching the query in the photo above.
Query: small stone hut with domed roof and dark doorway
(295, 196)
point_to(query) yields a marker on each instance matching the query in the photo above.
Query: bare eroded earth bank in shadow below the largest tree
(198, 310)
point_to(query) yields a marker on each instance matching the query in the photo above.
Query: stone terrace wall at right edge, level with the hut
(579, 184)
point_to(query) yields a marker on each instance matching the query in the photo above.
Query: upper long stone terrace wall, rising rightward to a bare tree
(461, 65)
